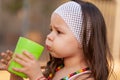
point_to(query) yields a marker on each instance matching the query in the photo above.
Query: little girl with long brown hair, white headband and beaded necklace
(77, 45)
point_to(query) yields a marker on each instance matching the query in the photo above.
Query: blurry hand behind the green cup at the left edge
(5, 58)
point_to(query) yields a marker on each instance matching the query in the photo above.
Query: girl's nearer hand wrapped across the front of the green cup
(30, 65)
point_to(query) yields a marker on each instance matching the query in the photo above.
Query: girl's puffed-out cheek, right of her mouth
(65, 48)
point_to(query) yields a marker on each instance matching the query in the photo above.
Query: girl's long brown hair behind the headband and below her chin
(96, 51)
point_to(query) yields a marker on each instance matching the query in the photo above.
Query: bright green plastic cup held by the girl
(24, 44)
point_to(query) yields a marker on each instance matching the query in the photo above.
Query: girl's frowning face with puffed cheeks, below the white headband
(60, 41)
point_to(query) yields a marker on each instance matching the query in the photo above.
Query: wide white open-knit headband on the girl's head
(71, 13)
